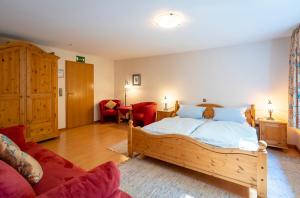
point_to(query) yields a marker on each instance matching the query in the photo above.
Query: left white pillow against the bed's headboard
(190, 111)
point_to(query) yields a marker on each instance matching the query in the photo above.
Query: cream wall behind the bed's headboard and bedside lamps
(231, 76)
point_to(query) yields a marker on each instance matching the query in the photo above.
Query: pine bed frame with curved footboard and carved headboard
(247, 168)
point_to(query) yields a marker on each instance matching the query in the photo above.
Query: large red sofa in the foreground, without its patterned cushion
(61, 178)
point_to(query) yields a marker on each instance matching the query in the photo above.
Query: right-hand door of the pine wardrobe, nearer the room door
(41, 95)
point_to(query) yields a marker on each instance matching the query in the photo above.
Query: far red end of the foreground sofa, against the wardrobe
(16, 134)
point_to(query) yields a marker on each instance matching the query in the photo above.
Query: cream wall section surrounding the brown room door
(103, 80)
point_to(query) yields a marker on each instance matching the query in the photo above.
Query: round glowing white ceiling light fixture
(169, 19)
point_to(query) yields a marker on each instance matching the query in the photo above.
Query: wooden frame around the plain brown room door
(66, 90)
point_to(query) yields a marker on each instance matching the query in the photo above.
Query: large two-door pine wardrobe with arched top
(28, 89)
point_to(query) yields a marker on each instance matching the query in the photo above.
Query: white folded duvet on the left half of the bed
(175, 125)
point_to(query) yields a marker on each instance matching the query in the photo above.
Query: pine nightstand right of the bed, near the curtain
(274, 132)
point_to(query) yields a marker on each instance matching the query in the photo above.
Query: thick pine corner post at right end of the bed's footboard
(262, 167)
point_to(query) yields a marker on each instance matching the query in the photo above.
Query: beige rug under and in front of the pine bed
(153, 178)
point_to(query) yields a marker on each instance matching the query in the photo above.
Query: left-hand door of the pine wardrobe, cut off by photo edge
(11, 92)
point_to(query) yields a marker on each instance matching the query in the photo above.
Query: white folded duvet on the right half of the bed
(227, 134)
